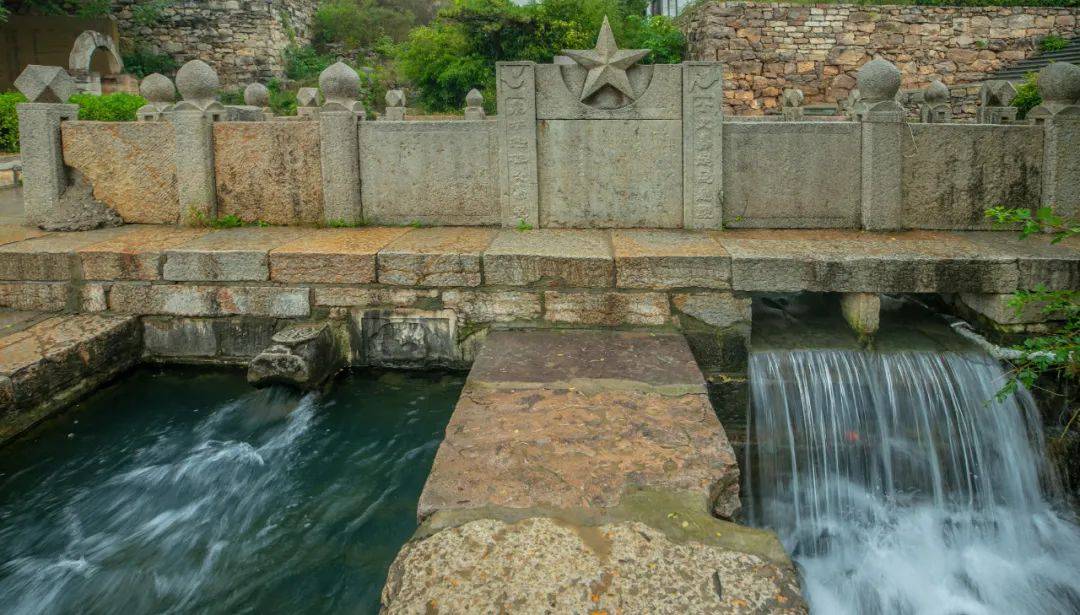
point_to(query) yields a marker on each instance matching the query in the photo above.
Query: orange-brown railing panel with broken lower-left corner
(130, 165)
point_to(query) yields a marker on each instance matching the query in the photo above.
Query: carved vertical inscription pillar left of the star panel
(519, 196)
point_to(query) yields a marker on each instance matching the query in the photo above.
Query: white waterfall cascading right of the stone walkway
(901, 486)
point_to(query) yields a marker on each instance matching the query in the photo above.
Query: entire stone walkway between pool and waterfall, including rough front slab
(577, 476)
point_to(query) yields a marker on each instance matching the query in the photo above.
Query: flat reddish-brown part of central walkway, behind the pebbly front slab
(575, 420)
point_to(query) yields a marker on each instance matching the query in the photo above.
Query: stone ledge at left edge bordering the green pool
(48, 362)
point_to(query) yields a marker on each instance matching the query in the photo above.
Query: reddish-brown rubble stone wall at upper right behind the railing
(818, 49)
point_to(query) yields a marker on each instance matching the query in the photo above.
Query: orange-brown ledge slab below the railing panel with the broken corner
(139, 255)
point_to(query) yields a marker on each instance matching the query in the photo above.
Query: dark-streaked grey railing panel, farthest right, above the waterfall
(953, 173)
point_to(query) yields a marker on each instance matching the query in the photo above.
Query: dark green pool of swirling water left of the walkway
(181, 491)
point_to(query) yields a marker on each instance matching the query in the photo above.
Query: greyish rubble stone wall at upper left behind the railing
(242, 39)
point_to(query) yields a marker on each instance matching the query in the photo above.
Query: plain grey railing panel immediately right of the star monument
(792, 175)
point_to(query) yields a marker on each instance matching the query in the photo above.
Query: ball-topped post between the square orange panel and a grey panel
(340, 145)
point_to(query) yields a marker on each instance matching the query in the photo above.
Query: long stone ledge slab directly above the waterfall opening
(840, 261)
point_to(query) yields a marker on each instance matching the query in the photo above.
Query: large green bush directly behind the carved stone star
(458, 50)
